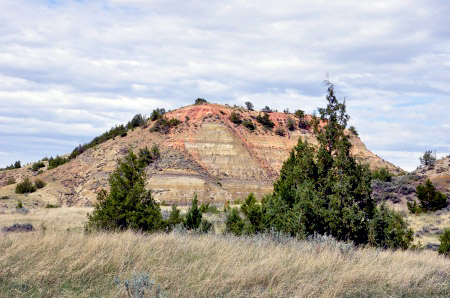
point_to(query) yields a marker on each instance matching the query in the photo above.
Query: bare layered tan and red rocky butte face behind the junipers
(206, 154)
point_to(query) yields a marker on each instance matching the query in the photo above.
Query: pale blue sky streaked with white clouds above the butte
(70, 70)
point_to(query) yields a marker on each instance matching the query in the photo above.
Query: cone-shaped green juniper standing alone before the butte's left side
(128, 205)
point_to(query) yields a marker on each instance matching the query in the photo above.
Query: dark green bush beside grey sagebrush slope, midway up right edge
(429, 198)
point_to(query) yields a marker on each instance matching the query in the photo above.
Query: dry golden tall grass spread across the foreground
(67, 264)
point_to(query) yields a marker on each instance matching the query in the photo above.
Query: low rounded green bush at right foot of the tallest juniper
(389, 230)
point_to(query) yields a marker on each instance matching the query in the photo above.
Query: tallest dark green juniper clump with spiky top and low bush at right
(325, 190)
